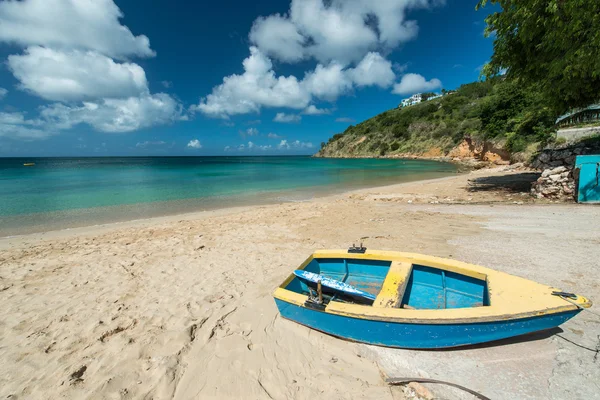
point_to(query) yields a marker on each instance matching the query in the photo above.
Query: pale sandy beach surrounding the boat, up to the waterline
(181, 307)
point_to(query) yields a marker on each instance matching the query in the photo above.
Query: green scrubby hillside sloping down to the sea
(498, 111)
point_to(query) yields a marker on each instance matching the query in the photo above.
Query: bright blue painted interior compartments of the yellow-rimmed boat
(426, 287)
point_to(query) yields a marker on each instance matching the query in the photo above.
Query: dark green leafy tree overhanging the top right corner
(553, 44)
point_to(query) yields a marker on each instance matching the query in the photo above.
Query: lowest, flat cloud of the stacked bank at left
(115, 115)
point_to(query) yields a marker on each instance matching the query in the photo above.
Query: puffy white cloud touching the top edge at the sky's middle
(336, 30)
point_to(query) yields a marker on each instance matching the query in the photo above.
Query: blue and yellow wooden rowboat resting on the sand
(417, 301)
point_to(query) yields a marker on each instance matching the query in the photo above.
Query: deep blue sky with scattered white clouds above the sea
(104, 77)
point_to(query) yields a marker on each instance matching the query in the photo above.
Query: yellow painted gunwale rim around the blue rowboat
(421, 316)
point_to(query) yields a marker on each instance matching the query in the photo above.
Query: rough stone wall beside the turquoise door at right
(557, 164)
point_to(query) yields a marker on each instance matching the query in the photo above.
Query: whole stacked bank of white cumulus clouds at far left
(69, 58)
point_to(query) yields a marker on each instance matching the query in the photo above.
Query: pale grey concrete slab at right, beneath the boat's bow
(555, 245)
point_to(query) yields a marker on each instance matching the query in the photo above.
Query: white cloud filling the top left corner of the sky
(71, 24)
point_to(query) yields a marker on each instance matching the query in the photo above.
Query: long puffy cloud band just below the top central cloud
(259, 86)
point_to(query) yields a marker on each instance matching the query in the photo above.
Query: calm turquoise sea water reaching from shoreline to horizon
(60, 193)
